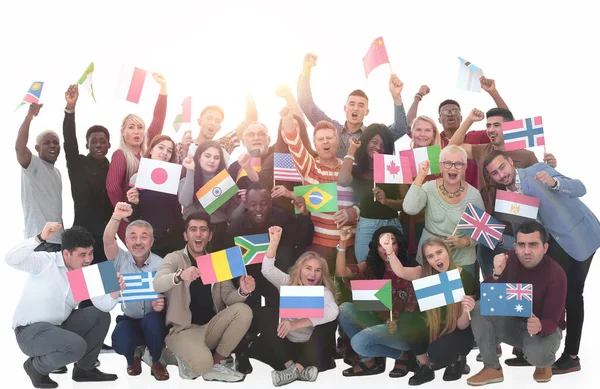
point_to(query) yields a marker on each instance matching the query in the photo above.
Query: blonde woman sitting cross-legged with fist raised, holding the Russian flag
(296, 348)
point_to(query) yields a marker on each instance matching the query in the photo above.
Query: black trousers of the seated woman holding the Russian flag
(268, 348)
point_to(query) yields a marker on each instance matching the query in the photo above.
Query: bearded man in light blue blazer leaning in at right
(574, 234)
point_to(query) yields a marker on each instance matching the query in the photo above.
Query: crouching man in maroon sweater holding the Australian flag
(539, 336)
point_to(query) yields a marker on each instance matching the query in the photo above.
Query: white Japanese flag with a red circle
(158, 176)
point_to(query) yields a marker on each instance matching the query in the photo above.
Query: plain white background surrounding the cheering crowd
(543, 58)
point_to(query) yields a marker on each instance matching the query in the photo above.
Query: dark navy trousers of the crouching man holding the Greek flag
(131, 333)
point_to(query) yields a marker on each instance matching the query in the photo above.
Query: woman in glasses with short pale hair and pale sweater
(444, 201)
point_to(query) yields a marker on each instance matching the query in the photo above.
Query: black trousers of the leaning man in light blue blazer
(576, 272)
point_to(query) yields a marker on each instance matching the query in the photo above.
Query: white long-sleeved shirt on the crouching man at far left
(47, 294)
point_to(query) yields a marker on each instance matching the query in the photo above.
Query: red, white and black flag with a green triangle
(372, 295)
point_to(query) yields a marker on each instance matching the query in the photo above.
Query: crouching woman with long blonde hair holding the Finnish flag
(440, 336)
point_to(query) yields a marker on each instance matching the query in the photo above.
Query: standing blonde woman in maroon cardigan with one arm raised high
(133, 144)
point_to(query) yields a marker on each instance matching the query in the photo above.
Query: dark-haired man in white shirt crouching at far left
(48, 328)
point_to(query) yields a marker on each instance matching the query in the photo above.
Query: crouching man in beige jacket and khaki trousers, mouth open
(202, 317)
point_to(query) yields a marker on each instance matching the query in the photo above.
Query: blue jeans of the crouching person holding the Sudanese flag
(369, 334)
